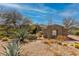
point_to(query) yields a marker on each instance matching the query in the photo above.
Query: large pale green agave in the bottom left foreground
(12, 49)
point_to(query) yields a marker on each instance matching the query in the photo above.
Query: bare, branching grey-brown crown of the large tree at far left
(11, 17)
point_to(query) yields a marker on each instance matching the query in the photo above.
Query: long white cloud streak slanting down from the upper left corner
(22, 7)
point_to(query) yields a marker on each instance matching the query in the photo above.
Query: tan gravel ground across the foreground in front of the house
(39, 48)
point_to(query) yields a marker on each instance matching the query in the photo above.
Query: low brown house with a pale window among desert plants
(52, 31)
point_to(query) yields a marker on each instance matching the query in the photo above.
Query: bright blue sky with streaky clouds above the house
(40, 12)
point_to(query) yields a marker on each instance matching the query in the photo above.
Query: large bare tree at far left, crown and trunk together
(10, 16)
